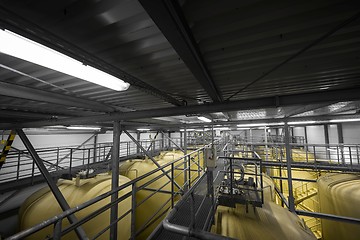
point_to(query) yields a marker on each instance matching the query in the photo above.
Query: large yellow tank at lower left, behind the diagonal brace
(42, 205)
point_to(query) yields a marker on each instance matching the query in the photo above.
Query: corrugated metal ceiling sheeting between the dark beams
(239, 41)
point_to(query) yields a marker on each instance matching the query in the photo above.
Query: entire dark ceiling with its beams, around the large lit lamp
(227, 60)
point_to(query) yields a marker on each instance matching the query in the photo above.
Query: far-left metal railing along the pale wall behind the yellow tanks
(19, 164)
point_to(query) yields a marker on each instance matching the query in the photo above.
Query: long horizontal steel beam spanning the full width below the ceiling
(266, 102)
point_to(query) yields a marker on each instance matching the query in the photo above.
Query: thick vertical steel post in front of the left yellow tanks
(115, 178)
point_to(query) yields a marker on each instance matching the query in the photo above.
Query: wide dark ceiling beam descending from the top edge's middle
(168, 16)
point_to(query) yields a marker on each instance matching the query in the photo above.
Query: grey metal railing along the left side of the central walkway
(155, 175)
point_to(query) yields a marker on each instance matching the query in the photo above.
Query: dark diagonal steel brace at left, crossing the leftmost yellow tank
(52, 185)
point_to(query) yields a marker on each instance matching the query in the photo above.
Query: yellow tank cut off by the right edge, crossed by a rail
(340, 195)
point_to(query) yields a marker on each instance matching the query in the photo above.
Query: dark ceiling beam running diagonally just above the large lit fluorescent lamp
(24, 27)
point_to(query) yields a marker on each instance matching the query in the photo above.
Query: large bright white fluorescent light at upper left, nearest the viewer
(28, 50)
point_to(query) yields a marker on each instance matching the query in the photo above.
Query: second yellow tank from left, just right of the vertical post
(136, 168)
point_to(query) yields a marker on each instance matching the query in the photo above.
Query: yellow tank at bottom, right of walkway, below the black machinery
(271, 222)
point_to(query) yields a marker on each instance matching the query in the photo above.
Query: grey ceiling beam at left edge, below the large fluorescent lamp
(17, 91)
